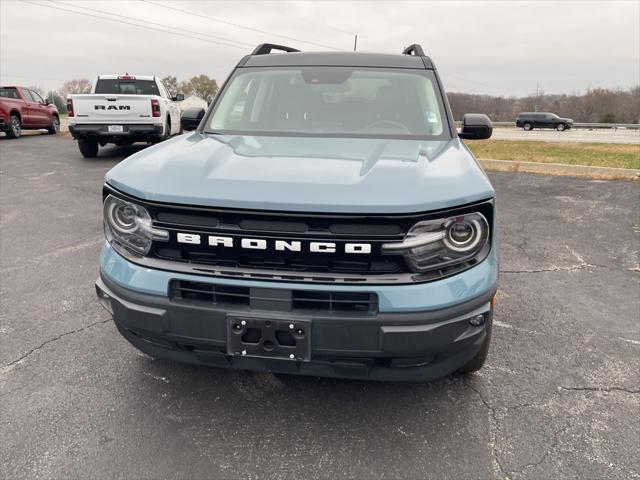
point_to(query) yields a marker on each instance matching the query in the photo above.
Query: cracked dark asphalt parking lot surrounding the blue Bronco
(559, 398)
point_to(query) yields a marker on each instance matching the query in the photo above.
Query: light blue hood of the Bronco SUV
(347, 175)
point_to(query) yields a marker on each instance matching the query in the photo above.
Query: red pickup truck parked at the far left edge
(24, 109)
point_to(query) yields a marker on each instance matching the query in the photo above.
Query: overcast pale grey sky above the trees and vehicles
(500, 47)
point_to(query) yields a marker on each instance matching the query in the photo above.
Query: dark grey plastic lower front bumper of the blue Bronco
(399, 346)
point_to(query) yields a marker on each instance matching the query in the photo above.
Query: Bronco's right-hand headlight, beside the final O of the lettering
(441, 243)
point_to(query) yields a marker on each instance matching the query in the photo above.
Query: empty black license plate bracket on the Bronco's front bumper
(269, 338)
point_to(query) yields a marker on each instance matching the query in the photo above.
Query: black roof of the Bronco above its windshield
(337, 59)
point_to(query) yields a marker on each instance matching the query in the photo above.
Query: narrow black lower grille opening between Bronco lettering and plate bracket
(311, 301)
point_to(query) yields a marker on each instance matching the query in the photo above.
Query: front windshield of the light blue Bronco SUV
(330, 101)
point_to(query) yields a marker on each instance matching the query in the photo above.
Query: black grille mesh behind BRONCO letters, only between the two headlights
(271, 227)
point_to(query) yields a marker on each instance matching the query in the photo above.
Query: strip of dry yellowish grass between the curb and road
(594, 154)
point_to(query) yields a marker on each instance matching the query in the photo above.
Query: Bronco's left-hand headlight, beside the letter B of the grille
(129, 226)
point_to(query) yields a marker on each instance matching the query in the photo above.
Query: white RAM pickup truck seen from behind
(123, 109)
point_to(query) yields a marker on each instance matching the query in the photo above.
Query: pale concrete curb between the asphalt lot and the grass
(560, 169)
